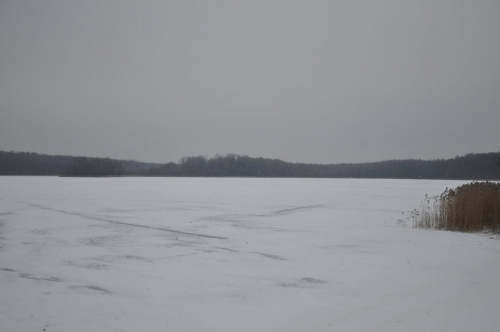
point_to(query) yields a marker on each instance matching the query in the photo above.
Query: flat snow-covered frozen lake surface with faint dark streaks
(236, 254)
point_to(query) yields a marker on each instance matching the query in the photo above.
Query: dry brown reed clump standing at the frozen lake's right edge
(472, 207)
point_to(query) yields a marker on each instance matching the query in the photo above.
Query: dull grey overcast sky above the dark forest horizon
(305, 81)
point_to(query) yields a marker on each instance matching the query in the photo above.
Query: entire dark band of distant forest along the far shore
(474, 166)
